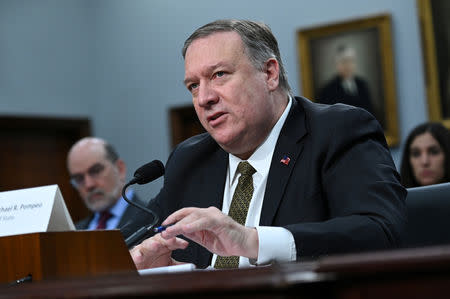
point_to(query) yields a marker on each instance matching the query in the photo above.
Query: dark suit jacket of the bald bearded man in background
(128, 223)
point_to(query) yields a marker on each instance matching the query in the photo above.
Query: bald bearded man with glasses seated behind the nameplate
(98, 174)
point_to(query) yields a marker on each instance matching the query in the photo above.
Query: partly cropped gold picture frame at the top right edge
(432, 15)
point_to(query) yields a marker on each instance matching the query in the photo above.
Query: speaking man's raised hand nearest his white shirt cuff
(213, 230)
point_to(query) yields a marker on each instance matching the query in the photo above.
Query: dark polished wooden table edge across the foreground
(411, 273)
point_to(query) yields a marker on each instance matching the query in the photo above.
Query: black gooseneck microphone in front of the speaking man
(143, 175)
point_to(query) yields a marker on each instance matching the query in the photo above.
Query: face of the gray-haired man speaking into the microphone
(233, 99)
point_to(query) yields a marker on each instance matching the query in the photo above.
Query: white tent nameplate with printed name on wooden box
(33, 210)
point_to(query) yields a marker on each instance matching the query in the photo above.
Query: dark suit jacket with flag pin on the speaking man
(339, 193)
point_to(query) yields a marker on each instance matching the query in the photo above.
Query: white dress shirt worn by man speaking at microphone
(275, 243)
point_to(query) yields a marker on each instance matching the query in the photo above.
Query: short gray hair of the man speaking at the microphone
(259, 41)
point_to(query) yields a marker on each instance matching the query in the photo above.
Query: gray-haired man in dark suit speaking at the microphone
(276, 178)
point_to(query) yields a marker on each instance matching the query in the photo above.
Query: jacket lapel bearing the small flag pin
(289, 145)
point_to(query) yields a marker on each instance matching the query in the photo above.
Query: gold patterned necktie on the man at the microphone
(238, 209)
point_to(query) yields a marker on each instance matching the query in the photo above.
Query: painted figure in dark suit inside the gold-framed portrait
(346, 87)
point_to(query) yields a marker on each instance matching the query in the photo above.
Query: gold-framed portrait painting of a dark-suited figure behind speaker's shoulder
(352, 63)
